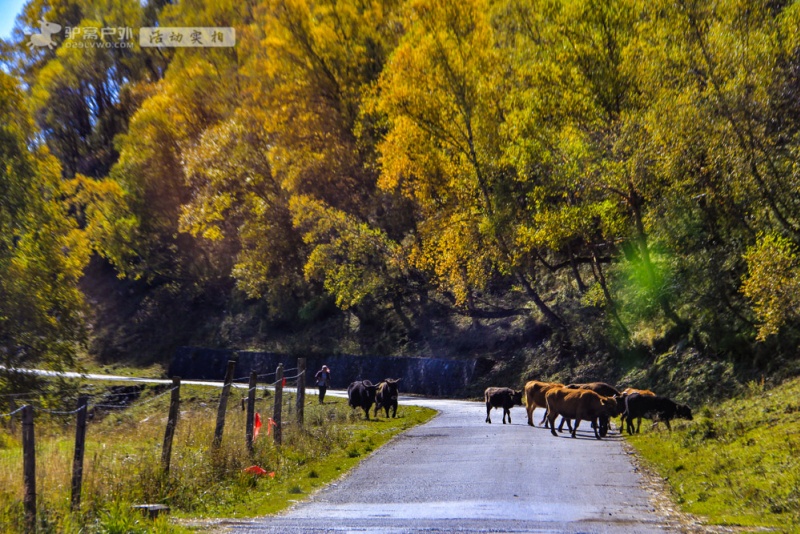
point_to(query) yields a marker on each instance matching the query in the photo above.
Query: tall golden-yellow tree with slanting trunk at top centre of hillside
(443, 93)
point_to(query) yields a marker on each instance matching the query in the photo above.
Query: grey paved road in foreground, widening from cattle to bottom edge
(459, 474)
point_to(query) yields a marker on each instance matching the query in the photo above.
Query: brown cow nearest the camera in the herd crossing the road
(578, 404)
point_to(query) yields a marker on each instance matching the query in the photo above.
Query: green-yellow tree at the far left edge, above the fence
(42, 251)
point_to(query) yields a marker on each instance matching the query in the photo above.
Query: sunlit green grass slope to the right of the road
(738, 462)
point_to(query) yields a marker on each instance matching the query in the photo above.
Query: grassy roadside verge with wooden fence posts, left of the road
(122, 462)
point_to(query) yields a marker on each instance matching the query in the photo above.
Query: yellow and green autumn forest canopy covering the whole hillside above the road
(630, 165)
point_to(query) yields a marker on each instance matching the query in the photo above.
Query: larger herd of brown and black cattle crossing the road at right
(597, 402)
